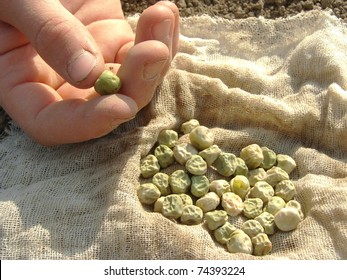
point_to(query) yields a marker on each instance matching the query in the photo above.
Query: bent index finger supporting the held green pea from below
(40, 112)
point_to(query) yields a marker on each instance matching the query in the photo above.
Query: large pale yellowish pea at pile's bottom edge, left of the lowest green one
(240, 242)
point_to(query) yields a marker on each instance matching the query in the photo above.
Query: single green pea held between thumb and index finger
(107, 83)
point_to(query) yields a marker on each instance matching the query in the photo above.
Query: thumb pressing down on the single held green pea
(58, 37)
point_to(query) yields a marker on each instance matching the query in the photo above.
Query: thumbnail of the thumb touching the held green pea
(80, 67)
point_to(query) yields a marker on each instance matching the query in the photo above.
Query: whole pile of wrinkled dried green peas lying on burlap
(256, 185)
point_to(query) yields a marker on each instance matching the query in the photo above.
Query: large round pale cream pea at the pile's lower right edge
(287, 218)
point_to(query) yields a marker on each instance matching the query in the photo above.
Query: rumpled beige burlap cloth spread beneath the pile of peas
(276, 83)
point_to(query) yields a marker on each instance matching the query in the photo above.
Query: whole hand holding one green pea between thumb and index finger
(52, 52)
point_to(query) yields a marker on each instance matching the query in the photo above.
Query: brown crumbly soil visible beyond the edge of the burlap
(230, 9)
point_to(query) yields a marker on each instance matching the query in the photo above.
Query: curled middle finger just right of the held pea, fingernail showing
(142, 70)
